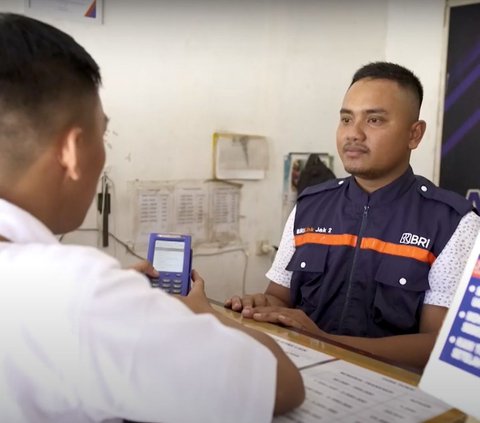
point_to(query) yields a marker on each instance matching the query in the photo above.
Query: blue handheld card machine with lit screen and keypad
(171, 256)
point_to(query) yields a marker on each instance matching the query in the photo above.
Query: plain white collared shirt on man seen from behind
(85, 341)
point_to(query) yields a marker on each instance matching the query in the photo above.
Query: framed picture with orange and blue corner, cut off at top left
(78, 10)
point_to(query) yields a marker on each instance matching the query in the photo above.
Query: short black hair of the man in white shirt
(44, 74)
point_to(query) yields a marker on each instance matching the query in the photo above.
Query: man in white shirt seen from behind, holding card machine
(82, 339)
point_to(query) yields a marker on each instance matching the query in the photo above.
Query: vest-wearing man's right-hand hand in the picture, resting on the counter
(290, 317)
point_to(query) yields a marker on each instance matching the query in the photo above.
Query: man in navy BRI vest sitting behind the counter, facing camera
(371, 260)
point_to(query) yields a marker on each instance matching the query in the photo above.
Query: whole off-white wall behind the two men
(176, 71)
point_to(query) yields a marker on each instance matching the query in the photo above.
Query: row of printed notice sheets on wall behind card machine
(209, 211)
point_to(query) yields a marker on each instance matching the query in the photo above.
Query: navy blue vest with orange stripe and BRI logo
(362, 260)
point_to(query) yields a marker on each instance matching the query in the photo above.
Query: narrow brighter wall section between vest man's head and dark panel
(416, 37)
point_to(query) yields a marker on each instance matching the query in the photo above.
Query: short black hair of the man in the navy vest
(386, 70)
